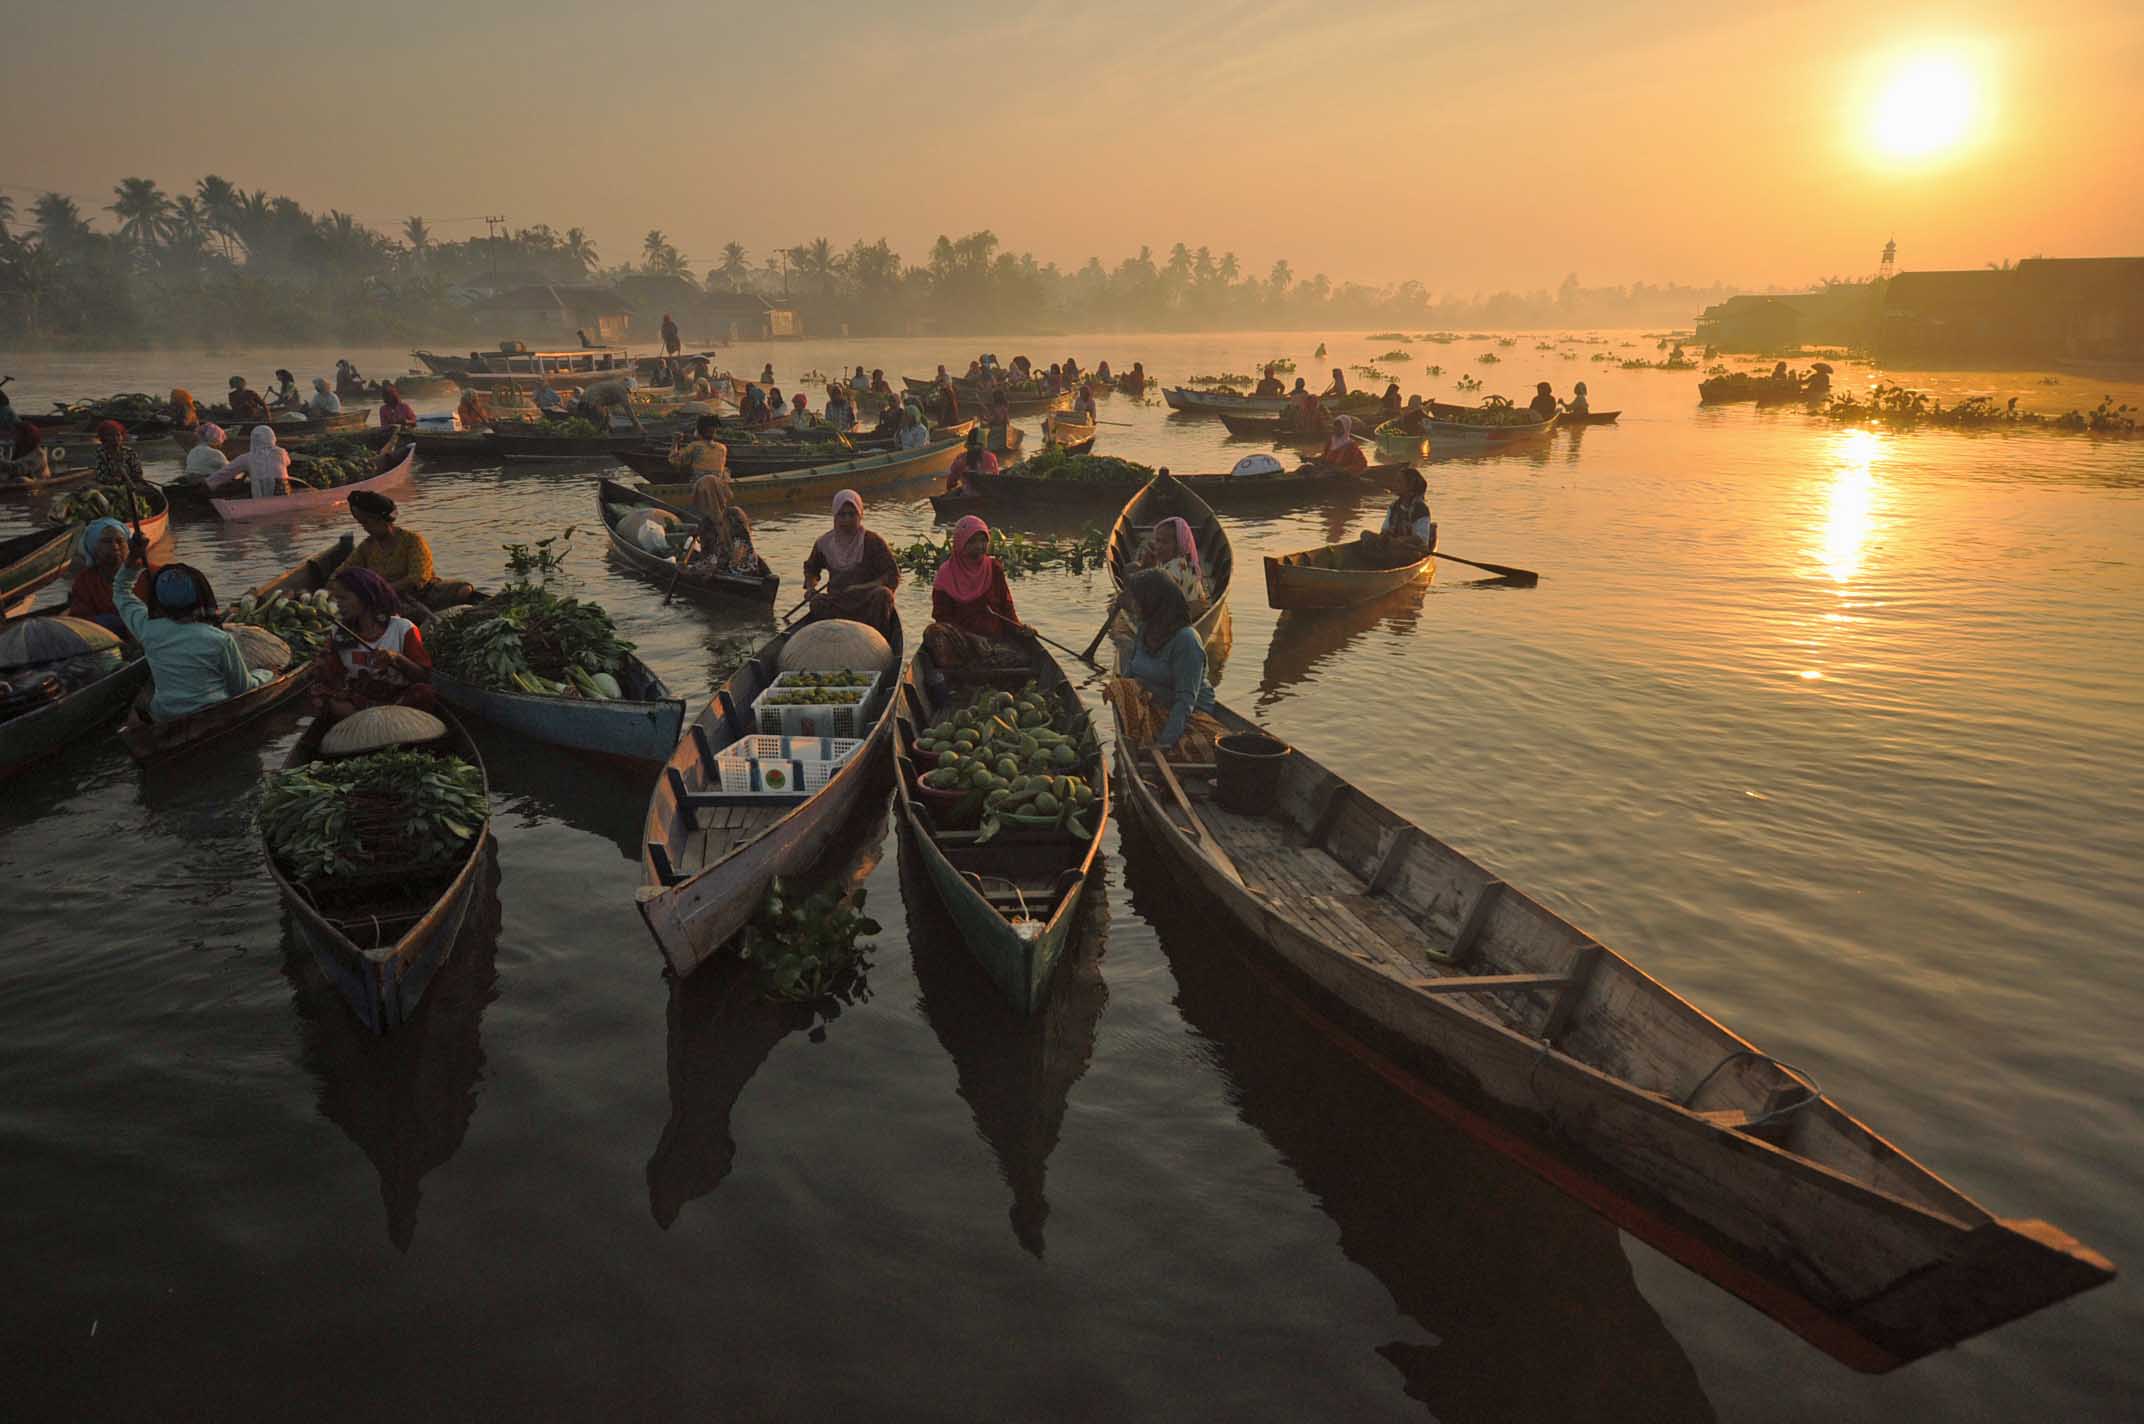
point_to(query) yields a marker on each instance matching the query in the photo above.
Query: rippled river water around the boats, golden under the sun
(1832, 732)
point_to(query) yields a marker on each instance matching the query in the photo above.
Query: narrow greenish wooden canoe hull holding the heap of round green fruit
(1032, 876)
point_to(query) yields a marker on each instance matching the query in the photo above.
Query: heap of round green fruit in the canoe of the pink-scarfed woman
(1013, 762)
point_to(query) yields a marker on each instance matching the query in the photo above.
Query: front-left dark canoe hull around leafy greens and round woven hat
(385, 949)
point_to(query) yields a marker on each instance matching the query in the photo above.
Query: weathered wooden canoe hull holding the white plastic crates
(706, 859)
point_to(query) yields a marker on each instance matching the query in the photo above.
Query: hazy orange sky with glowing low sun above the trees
(1465, 145)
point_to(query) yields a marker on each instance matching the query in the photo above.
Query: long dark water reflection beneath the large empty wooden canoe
(1530, 1296)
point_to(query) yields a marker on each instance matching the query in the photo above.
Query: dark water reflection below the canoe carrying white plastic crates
(721, 1030)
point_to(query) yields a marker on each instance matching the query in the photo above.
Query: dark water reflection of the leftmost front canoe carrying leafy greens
(404, 1099)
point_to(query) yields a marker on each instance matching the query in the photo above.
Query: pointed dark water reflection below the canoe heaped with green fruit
(1015, 1071)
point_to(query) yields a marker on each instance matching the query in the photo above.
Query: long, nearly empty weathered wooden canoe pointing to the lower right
(1547, 1045)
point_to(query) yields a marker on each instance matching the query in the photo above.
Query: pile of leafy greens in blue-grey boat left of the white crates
(528, 640)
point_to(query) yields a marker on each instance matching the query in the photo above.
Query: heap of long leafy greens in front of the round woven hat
(366, 816)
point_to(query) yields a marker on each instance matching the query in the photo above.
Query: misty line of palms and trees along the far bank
(230, 265)
